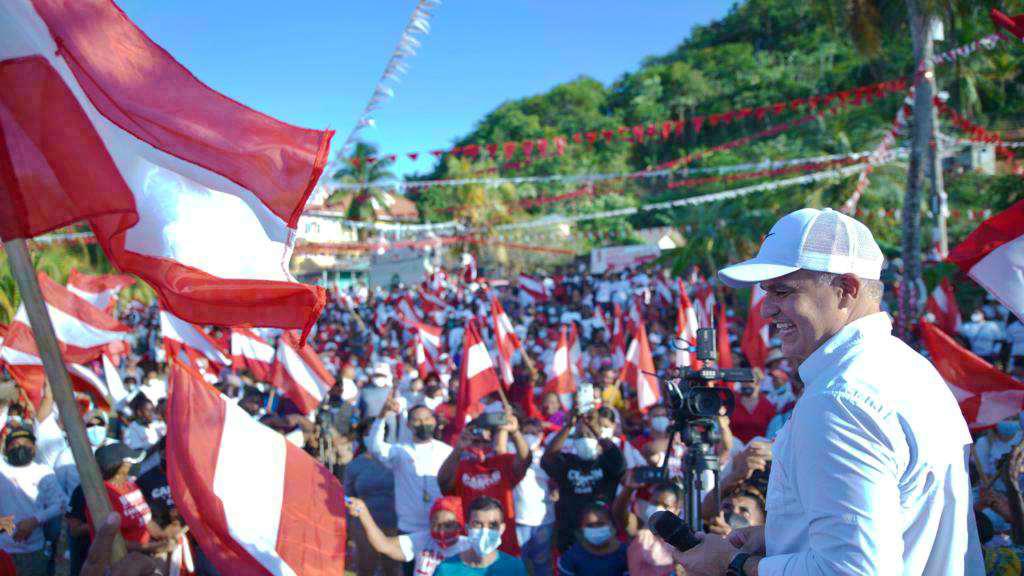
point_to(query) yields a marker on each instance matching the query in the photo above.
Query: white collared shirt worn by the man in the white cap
(871, 474)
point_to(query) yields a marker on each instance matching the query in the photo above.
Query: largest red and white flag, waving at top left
(189, 190)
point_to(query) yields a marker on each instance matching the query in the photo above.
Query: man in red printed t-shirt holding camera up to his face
(480, 466)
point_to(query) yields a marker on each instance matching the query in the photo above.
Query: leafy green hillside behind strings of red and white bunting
(762, 53)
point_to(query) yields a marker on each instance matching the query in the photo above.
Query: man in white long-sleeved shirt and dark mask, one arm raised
(415, 465)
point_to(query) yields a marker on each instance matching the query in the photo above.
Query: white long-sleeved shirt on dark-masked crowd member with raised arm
(416, 468)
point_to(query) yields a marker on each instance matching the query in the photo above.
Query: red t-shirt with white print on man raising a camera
(494, 477)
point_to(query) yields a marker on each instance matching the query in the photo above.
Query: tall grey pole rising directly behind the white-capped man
(924, 115)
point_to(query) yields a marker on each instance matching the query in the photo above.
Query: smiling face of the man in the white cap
(805, 312)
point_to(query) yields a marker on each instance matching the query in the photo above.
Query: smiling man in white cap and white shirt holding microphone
(871, 474)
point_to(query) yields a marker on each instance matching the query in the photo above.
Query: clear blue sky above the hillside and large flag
(315, 63)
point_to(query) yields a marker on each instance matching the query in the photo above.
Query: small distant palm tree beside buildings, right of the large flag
(365, 168)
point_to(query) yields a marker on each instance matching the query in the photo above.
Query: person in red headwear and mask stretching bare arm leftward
(424, 550)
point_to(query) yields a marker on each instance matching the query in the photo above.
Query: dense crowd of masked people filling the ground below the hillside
(539, 482)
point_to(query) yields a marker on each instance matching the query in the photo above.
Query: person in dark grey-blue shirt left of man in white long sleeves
(373, 483)
